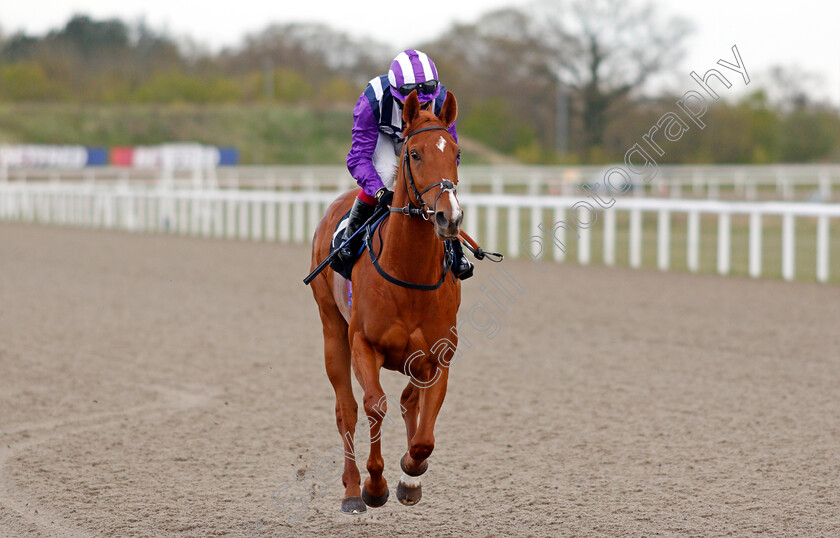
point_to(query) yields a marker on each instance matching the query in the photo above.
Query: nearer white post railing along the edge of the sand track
(293, 215)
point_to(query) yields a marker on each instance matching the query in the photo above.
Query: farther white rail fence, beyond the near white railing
(745, 182)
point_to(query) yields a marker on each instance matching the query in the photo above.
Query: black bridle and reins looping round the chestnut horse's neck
(411, 210)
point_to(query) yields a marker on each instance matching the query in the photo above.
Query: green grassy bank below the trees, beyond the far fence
(264, 134)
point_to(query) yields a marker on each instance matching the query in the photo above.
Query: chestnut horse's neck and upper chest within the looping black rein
(411, 245)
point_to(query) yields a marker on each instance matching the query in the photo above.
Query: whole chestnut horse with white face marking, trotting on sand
(399, 320)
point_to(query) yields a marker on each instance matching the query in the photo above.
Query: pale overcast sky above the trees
(801, 33)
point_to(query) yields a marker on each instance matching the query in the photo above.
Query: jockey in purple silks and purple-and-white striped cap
(377, 142)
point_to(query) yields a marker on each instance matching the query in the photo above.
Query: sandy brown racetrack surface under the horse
(155, 386)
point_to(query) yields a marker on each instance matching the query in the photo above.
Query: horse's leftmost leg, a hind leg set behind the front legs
(337, 361)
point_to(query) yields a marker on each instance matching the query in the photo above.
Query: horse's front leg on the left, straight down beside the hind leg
(367, 362)
